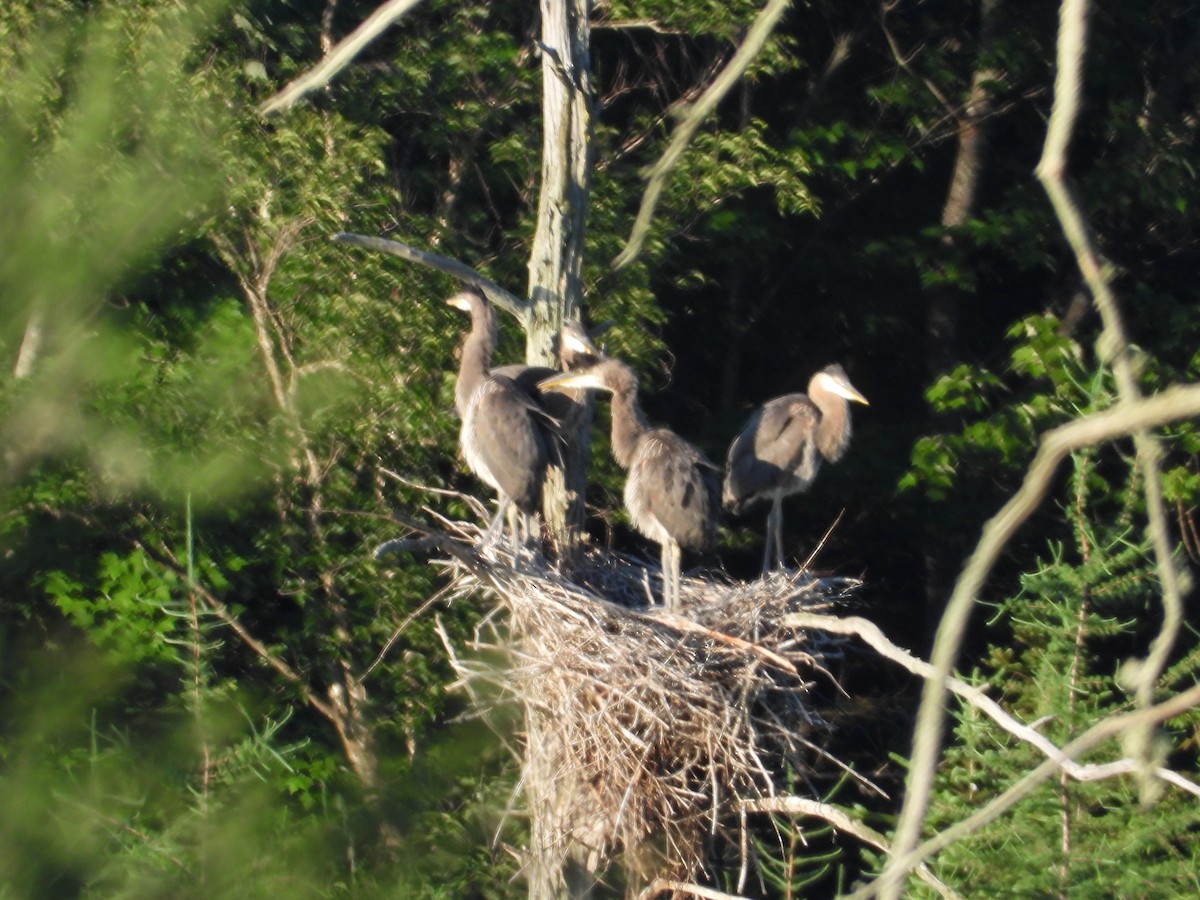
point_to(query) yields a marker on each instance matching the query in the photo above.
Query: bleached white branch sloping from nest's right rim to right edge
(873, 637)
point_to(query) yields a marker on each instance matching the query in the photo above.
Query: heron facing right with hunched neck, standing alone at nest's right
(783, 445)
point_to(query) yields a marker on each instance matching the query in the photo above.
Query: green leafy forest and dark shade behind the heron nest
(209, 411)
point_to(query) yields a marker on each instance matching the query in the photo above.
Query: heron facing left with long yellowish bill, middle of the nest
(673, 493)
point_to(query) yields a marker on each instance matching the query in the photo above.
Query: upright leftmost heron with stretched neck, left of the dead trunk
(505, 435)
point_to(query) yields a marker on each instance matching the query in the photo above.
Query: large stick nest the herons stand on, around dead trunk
(656, 730)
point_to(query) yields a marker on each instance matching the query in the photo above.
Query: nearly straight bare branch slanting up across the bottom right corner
(1099, 734)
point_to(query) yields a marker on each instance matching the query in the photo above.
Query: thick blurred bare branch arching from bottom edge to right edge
(1178, 403)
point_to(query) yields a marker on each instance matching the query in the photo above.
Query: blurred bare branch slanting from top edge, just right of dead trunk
(757, 38)
